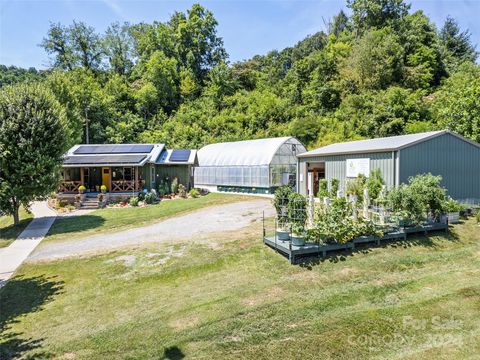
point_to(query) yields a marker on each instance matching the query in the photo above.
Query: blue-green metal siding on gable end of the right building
(456, 160)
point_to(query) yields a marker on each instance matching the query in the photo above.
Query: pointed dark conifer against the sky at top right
(456, 45)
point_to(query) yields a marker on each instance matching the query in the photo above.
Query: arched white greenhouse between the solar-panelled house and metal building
(253, 166)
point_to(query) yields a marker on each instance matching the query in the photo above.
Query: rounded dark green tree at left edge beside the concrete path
(32, 142)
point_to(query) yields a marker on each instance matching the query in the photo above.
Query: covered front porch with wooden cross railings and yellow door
(117, 179)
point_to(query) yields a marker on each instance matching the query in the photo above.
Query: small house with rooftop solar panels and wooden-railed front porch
(124, 169)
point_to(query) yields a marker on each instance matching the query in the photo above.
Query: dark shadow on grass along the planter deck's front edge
(414, 240)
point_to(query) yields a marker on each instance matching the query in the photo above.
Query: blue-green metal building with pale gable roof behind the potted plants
(444, 153)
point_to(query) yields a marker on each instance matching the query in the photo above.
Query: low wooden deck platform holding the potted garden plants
(293, 252)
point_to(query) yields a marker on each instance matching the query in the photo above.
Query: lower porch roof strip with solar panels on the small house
(107, 160)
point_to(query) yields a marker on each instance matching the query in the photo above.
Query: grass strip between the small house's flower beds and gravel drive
(117, 219)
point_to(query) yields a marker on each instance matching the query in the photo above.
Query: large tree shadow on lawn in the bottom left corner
(21, 296)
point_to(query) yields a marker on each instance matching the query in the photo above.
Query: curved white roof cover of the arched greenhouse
(244, 153)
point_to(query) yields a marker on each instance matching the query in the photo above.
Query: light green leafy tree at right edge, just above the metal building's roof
(456, 104)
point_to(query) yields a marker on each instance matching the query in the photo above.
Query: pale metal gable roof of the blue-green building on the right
(391, 143)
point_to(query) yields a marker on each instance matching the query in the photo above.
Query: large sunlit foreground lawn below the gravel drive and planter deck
(232, 297)
